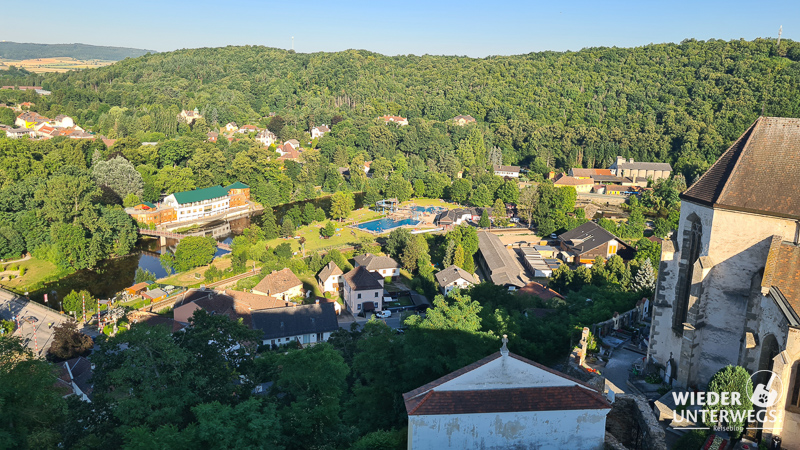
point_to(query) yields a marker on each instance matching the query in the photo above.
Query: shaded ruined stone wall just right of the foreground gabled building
(633, 424)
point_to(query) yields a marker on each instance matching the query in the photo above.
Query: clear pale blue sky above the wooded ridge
(467, 27)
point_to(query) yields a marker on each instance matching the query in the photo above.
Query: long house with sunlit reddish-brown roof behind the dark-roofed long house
(235, 305)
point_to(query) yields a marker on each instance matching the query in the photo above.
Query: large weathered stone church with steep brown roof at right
(728, 290)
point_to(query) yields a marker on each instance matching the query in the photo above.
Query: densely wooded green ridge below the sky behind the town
(678, 103)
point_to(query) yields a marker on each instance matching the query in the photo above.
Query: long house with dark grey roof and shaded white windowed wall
(304, 324)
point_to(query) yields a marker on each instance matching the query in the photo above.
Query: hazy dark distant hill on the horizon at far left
(16, 50)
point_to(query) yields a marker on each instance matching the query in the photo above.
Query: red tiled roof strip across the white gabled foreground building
(558, 398)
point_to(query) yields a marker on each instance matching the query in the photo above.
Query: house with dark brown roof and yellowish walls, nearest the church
(588, 241)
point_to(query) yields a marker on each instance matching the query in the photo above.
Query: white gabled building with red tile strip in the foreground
(506, 401)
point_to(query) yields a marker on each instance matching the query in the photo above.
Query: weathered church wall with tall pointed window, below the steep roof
(733, 248)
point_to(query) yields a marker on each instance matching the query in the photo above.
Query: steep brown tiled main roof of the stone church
(758, 173)
